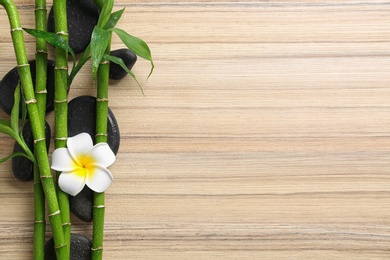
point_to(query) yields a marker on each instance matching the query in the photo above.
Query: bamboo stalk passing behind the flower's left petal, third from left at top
(61, 106)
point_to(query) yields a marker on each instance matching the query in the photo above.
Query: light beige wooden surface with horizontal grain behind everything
(263, 134)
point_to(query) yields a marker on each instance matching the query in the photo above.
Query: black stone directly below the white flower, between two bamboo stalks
(81, 205)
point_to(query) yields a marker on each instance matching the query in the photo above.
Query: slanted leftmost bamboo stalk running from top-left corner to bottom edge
(37, 128)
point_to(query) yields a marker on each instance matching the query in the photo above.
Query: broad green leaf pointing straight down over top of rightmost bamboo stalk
(99, 41)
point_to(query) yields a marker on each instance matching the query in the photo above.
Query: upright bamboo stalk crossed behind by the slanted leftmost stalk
(40, 94)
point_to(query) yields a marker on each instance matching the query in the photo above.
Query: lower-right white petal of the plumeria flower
(100, 179)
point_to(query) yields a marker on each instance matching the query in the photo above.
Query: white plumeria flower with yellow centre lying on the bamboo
(82, 163)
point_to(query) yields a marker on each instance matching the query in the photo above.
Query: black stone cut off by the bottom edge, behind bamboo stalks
(80, 248)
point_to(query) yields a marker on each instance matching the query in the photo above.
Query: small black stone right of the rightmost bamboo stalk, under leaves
(128, 57)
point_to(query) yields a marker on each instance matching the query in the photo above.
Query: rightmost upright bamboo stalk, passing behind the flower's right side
(101, 136)
